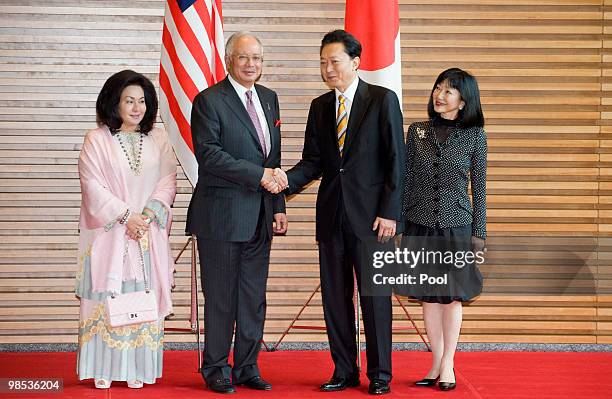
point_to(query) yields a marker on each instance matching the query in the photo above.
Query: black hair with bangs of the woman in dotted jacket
(466, 84)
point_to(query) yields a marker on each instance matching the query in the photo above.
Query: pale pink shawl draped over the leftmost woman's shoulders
(105, 197)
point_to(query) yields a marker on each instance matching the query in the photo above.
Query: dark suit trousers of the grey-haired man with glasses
(234, 277)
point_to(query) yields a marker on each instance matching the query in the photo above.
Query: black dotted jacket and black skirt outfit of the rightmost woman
(442, 158)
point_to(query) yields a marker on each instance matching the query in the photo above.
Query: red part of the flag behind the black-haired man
(375, 23)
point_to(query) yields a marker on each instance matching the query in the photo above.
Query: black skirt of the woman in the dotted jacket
(464, 281)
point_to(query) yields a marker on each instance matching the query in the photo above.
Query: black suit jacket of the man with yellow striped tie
(368, 177)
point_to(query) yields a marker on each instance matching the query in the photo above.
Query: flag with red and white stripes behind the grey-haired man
(192, 59)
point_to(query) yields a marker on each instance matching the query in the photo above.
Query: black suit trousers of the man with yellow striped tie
(338, 258)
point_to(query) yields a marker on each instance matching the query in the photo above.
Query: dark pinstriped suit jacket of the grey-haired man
(226, 201)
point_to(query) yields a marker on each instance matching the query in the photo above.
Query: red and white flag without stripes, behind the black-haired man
(375, 23)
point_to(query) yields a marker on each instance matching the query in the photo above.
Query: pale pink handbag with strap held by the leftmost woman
(133, 307)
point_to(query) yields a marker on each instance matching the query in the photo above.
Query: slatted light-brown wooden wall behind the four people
(544, 71)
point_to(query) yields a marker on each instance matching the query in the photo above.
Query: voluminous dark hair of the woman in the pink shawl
(107, 105)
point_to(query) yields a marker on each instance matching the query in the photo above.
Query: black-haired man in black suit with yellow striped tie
(354, 140)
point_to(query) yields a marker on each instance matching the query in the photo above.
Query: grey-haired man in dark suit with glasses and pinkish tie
(236, 138)
